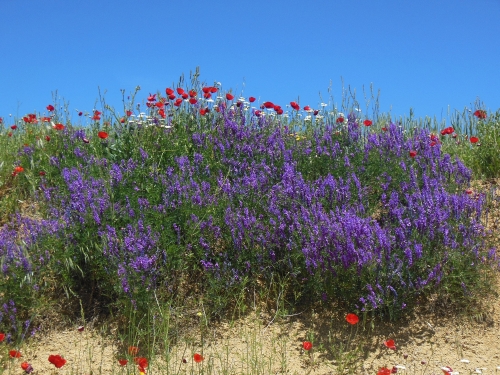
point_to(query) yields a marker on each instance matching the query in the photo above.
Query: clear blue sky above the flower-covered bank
(426, 54)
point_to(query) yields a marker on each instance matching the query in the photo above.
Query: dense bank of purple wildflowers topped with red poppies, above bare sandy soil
(204, 195)
